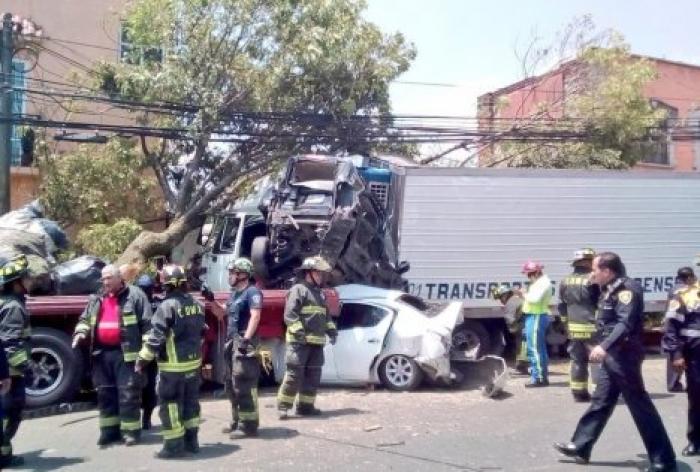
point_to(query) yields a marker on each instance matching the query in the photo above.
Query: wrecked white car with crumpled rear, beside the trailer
(389, 337)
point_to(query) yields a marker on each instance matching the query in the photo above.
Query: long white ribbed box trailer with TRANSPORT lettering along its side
(465, 231)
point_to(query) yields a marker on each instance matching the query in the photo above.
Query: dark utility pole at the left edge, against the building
(6, 48)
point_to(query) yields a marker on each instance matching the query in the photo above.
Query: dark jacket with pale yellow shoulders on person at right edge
(682, 321)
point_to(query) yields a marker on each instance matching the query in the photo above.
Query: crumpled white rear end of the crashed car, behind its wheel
(433, 356)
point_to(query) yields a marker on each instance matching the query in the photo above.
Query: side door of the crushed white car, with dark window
(362, 329)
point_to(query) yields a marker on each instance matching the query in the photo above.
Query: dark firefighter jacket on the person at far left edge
(15, 332)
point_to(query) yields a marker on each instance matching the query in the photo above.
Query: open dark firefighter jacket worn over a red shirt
(134, 320)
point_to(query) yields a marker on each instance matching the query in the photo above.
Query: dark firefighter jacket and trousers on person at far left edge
(14, 333)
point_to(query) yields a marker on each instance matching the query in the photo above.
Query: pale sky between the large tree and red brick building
(469, 44)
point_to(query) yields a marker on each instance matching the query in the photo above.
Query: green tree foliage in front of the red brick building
(603, 101)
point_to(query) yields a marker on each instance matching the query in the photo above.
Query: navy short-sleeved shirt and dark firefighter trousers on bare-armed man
(242, 368)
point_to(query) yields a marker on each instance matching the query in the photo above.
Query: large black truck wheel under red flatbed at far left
(56, 369)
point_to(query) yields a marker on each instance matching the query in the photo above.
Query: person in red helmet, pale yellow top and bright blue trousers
(536, 313)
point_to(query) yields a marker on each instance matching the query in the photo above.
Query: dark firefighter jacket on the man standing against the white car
(306, 315)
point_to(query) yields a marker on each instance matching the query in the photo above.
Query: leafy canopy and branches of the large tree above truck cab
(222, 61)
